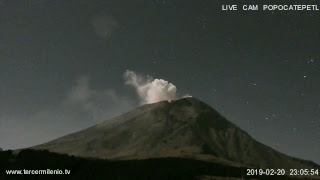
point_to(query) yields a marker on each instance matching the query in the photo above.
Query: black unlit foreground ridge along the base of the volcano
(92, 169)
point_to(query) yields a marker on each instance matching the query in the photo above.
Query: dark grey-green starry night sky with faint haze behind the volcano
(62, 65)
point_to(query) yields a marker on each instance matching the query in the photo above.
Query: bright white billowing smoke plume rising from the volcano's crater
(150, 90)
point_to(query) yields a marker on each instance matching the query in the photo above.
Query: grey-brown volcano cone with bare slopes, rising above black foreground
(184, 128)
